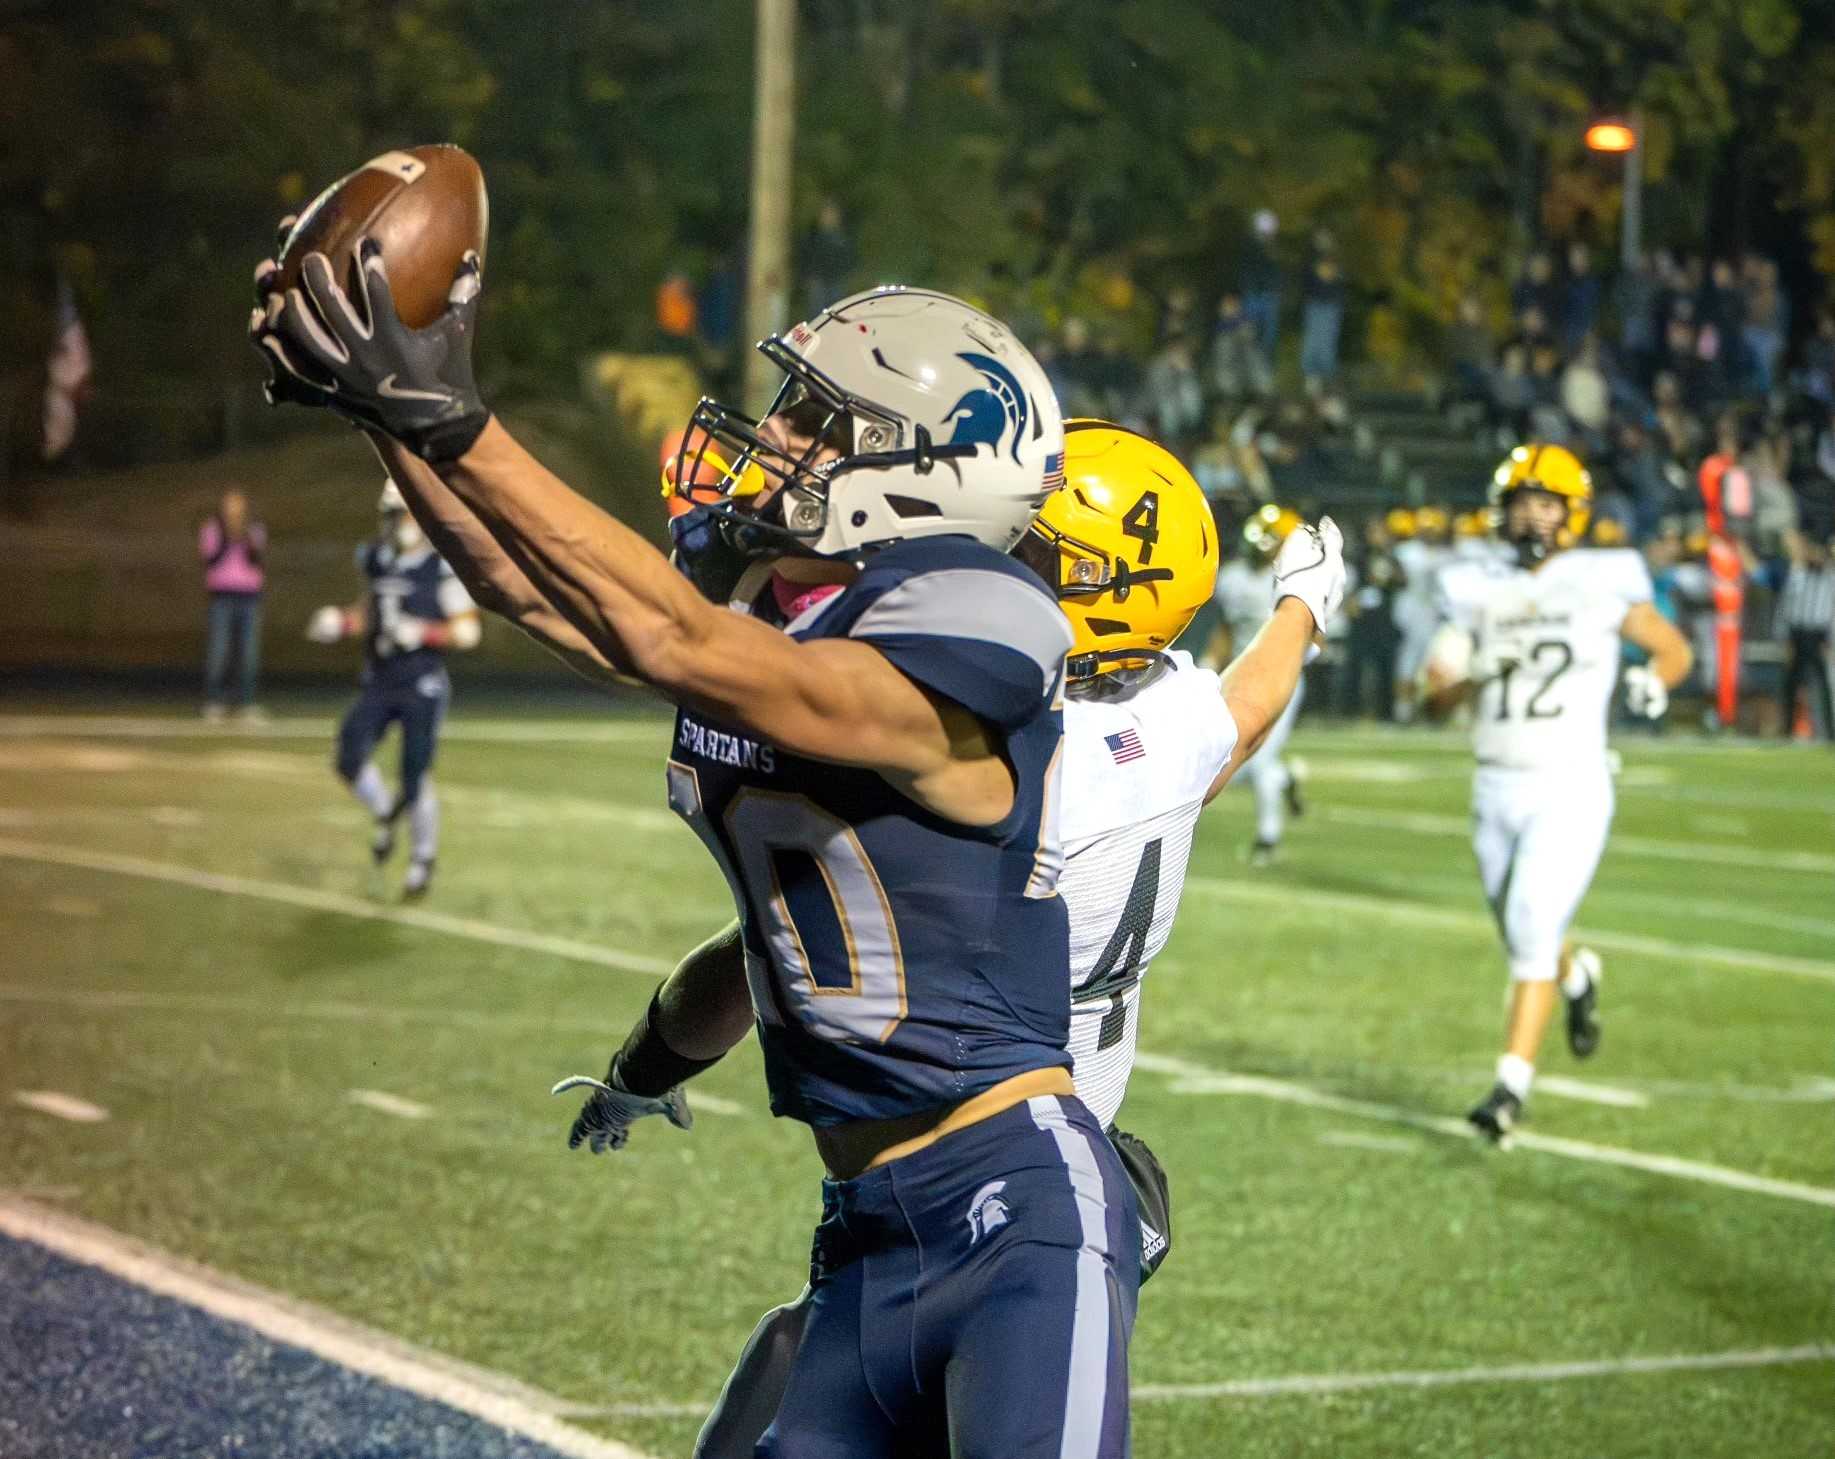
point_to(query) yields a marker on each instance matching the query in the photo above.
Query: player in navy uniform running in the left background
(414, 612)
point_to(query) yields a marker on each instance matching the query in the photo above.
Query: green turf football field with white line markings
(188, 944)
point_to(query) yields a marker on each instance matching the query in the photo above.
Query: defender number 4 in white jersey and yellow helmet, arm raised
(1150, 741)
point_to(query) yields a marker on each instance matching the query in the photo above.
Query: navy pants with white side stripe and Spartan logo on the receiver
(973, 1300)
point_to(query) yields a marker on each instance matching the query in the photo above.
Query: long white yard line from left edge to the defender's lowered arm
(333, 902)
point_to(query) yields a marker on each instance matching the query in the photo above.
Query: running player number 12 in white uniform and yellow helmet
(1535, 643)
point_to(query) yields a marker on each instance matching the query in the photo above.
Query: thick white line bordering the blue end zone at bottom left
(495, 1398)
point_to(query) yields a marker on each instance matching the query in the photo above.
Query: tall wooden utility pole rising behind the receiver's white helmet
(768, 273)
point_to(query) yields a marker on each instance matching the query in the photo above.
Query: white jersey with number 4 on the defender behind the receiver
(1137, 772)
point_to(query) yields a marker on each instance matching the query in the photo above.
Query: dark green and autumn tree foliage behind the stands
(1041, 155)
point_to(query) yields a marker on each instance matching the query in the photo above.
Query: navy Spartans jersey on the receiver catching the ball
(898, 961)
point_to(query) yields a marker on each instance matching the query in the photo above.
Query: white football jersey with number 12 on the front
(1561, 625)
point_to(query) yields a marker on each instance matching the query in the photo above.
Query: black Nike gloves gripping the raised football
(362, 362)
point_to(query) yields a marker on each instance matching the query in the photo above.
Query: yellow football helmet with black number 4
(1128, 544)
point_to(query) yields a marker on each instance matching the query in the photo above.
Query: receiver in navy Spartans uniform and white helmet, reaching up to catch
(876, 779)
